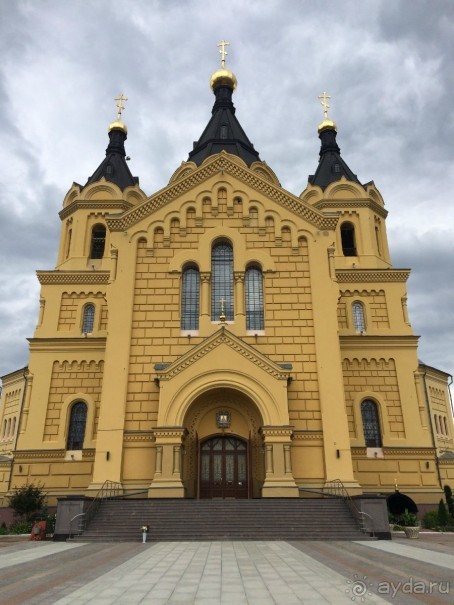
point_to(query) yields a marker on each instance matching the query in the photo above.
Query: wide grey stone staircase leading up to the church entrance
(184, 520)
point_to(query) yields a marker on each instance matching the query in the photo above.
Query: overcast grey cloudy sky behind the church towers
(388, 66)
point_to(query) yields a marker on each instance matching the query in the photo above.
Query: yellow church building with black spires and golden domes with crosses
(225, 338)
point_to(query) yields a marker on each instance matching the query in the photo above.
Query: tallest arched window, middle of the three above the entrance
(222, 281)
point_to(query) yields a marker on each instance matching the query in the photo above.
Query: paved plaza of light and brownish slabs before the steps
(256, 573)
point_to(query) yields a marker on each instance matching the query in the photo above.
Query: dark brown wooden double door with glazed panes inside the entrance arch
(224, 468)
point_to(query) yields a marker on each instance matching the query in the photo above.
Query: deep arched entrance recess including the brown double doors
(223, 462)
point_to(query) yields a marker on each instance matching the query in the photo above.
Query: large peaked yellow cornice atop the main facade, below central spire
(221, 163)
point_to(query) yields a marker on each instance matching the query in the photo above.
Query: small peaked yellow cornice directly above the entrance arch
(222, 336)
